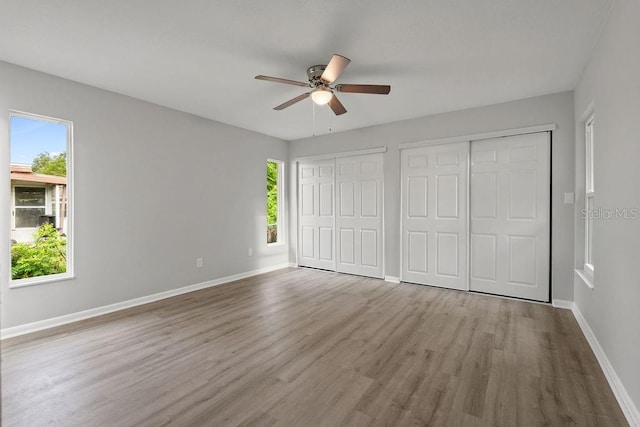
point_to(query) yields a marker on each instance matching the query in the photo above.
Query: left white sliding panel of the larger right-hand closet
(434, 215)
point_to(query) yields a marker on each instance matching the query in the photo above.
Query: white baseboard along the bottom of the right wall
(624, 400)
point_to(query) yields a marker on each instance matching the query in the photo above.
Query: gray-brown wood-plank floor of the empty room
(301, 347)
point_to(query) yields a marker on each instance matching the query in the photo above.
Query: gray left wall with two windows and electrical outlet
(154, 189)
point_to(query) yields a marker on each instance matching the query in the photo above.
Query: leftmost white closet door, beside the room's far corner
(315, 215)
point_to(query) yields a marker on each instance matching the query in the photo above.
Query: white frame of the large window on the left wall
(69, 274)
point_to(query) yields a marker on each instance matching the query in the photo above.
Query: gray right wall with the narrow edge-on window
(611, 82)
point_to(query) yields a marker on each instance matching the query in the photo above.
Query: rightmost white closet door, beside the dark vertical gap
(510, 216)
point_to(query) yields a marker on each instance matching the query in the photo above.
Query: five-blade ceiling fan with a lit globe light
(321, 79)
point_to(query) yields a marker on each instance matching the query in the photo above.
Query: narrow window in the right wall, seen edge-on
(589, 197)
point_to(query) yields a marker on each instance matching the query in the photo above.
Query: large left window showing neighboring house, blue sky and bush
(41, 193)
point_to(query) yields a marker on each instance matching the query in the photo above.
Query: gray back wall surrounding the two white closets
(556, 108)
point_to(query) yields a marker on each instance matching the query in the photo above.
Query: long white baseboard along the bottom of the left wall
(98, 311)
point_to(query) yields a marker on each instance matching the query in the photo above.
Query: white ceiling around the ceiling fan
(201, 56)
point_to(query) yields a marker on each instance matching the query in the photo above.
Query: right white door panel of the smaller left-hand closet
(359, 181)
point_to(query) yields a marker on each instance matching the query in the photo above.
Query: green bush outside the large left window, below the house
(46, 255)
